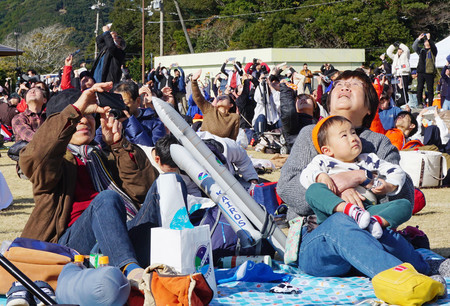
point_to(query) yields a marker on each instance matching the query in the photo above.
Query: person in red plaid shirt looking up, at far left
(27, 123)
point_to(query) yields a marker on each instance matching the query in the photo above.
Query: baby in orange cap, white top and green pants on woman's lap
(339, 149)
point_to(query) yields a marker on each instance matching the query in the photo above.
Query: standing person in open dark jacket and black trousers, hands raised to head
(426, 67)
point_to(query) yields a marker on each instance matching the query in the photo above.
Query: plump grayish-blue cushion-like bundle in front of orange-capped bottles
(88, 286)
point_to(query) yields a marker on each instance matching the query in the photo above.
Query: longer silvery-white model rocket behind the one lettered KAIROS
(227, 182)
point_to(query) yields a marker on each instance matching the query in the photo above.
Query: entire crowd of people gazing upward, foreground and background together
(94, 185)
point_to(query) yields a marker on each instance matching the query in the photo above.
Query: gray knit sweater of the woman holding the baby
(303, 151)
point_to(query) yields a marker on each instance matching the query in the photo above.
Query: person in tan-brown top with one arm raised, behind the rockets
(220, 120)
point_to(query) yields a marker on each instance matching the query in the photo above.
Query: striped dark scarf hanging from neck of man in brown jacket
(93, 158)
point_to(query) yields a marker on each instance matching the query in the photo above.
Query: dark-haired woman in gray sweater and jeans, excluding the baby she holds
(338, 245)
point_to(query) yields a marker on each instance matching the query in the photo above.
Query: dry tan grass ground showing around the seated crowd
(433, 219)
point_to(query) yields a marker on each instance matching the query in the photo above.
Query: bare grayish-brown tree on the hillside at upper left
(44, 48)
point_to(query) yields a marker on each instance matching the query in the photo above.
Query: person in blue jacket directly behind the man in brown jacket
(142, 125)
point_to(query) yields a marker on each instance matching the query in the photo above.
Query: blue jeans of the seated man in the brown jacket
(104, 222)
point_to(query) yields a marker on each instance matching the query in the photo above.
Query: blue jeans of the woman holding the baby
(338, 244)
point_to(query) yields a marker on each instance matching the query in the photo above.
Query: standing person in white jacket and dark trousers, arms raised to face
(400, 68)
